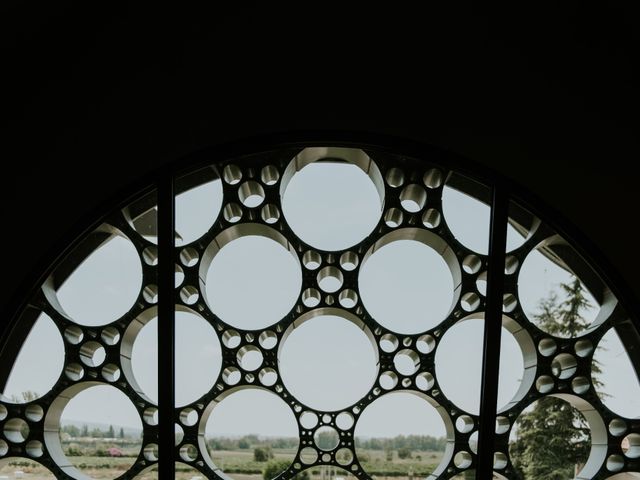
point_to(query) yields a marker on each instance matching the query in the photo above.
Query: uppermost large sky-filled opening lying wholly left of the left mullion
(104, 286)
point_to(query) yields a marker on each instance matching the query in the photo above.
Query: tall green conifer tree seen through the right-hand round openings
(553, 437)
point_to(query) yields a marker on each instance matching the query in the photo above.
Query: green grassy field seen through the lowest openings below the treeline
(239, 464)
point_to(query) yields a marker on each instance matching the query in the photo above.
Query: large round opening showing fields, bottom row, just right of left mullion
(236, 428)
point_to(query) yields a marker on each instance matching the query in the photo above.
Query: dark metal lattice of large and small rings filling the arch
(411, 192)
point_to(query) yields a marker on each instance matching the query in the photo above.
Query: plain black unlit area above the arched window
(95, 99)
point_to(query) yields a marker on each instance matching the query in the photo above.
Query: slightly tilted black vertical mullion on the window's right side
(492, 332)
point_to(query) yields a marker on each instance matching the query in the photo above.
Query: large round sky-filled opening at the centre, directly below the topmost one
(328, 362)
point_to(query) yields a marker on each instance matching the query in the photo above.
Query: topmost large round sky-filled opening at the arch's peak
(331, 206)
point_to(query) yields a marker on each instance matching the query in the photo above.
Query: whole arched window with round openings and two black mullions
(323, 311)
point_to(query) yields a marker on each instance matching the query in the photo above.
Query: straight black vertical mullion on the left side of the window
(166, 328)
